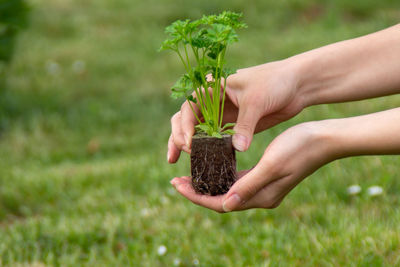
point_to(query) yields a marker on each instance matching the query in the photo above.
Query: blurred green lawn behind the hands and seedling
(84, 121)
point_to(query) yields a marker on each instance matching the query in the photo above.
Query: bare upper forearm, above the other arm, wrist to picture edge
(356, 69)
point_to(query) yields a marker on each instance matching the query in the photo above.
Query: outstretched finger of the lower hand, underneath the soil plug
(184, 187)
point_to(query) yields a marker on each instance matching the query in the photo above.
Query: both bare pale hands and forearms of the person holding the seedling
(263, 96)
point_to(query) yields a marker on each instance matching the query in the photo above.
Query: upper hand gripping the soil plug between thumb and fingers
(257, 98)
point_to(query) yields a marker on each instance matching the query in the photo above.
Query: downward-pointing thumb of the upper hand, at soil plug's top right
(247, 120)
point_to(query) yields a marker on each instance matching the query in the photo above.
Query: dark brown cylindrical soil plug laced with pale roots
(213, 164)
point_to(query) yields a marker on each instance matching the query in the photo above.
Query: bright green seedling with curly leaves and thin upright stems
(201, 46)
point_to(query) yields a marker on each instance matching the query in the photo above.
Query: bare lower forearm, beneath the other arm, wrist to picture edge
(373, 134)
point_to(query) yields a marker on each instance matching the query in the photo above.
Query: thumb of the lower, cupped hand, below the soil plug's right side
(244, 189)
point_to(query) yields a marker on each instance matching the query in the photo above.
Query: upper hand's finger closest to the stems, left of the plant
(188, 121)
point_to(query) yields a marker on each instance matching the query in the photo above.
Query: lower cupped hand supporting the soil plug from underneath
(290, 158)
